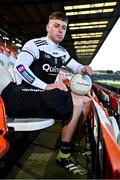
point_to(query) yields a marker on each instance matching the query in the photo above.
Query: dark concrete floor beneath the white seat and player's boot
(32, 156)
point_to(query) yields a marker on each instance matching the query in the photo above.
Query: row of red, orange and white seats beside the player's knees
(104, 133)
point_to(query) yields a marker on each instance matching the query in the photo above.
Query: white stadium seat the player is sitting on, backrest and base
(20, 124)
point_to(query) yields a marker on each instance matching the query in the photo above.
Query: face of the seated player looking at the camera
(56, 30)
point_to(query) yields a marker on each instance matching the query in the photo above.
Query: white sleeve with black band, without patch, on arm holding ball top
(72, 63)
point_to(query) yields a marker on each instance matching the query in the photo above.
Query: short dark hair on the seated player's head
(58, 15)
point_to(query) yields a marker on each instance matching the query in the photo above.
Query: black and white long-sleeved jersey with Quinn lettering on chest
(40, 61)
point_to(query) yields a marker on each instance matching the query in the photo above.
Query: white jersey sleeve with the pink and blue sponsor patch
(25, 59)
